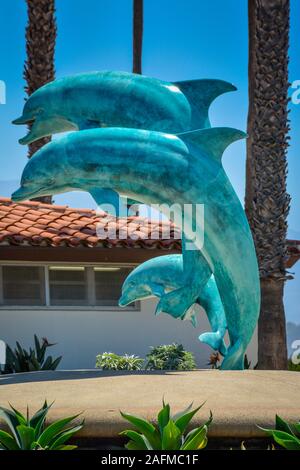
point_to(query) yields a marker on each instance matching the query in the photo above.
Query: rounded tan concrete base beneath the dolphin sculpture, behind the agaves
(238, 400)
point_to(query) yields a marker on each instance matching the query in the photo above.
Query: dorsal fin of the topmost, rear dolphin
(200, 94)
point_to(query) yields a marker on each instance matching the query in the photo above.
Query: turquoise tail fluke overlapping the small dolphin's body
(175, 303)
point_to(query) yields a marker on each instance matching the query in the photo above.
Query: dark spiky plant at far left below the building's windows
(20, 360)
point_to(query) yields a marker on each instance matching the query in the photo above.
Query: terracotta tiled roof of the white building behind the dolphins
(36, 224)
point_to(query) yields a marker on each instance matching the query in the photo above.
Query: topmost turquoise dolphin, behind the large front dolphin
(119, 99)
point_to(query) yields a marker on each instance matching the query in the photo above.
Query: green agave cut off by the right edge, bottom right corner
(284, 434)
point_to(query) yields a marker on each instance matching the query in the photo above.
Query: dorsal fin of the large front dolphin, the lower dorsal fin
(212, 141)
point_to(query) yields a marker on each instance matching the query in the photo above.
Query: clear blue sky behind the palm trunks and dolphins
(183, 39)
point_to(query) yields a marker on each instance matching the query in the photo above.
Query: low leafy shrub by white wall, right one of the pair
(170, 357)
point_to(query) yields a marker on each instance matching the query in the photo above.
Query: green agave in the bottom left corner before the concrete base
(31, 433)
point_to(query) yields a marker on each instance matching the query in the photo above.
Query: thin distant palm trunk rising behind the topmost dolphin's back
(137, 35)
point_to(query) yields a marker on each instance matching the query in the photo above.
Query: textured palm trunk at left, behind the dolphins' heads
(40, 46)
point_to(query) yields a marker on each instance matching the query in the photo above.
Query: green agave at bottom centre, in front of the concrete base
(170, 432)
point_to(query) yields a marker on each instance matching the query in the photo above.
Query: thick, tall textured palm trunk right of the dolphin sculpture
(267, 201)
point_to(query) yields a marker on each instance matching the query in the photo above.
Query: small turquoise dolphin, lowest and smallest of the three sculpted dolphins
(157, 276)
